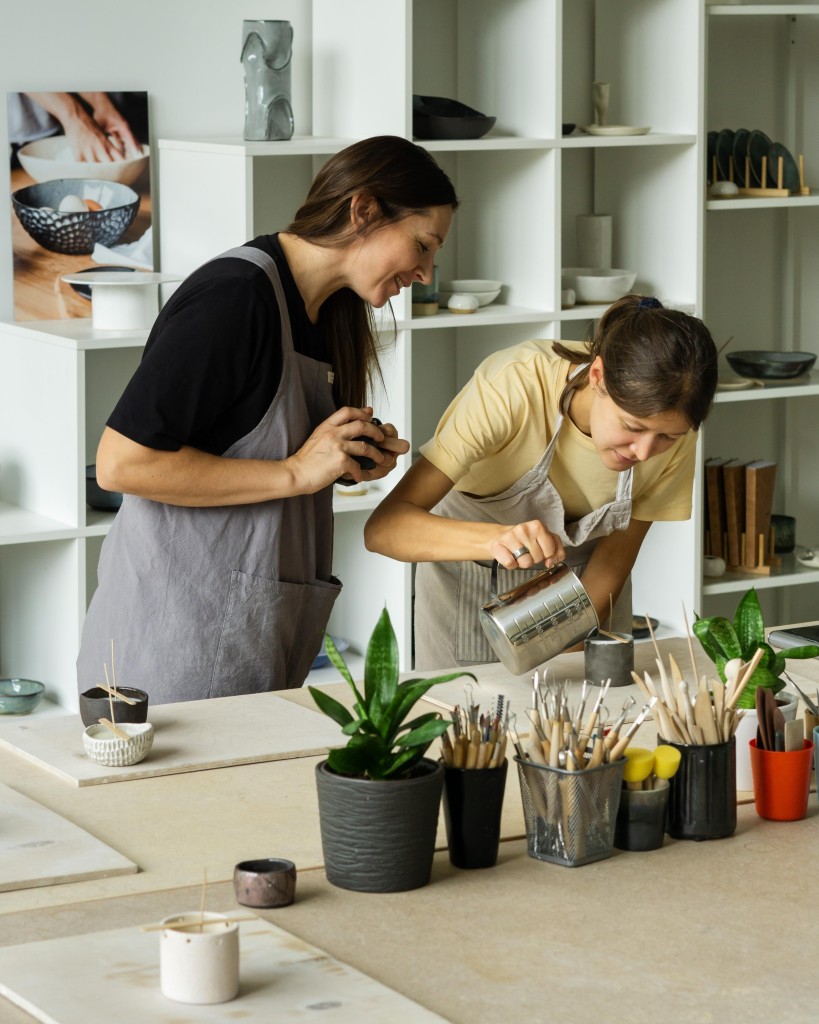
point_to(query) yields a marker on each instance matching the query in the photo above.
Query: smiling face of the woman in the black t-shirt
(396, 254)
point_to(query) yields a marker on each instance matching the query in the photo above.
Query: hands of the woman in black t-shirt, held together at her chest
(328, 453)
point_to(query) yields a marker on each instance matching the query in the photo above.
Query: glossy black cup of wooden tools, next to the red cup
(703, 794)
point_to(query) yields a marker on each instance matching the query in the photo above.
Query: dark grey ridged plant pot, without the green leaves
(379, 837)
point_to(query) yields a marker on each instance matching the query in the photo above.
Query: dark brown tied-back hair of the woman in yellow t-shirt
(655, 360)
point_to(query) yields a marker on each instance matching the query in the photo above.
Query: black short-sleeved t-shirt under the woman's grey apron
(213, 360)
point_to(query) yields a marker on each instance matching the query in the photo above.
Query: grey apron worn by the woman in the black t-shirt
(206, 603)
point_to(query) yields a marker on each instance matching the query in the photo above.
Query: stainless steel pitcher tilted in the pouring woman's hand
(539, 619)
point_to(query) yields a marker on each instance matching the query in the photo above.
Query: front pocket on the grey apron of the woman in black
(271, 635)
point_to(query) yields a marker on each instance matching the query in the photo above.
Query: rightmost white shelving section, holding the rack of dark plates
(761, 260)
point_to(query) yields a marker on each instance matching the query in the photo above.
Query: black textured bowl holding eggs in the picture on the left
(75, 234)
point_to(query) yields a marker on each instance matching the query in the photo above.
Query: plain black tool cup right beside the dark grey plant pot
(473, 799)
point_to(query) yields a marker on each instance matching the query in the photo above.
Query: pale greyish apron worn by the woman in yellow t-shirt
(450, 595)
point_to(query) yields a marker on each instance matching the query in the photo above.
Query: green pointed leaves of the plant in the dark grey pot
(382, 744)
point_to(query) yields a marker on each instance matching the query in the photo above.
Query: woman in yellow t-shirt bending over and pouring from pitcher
(553, 452)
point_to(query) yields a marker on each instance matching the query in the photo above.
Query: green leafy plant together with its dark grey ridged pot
(379, 795)
